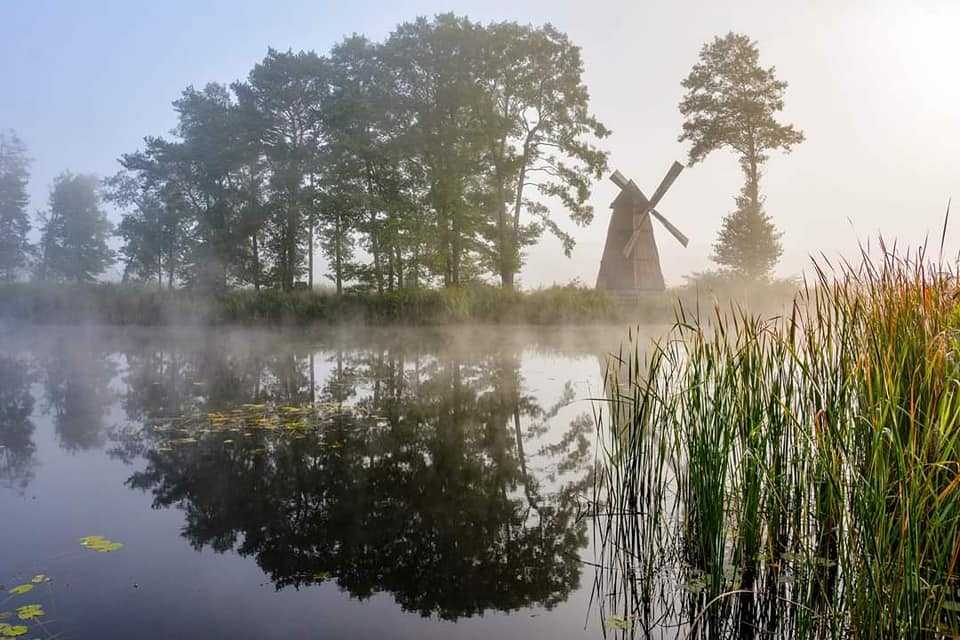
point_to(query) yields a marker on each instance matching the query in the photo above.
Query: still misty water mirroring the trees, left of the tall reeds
(405, 484)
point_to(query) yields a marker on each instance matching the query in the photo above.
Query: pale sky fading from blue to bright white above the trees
(873, 85)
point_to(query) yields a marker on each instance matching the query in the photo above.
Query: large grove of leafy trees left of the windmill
(435, 156)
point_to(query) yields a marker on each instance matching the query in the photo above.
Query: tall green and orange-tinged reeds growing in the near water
(799, 474)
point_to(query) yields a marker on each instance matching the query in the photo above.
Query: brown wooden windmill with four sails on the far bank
(631, 262)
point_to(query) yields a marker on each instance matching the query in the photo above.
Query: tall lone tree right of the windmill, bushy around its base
(732, 102)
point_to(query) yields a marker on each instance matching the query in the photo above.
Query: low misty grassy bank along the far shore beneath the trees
(131, 305)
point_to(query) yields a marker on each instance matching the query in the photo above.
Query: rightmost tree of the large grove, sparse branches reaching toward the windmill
(537, 129)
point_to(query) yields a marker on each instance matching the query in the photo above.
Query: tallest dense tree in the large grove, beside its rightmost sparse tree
(431, 67)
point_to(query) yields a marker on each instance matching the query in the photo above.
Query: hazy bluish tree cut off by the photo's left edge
(15, 249)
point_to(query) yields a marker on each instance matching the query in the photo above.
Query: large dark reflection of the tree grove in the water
(437, 486)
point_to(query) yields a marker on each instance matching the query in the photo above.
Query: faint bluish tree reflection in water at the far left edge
(17, 450)
